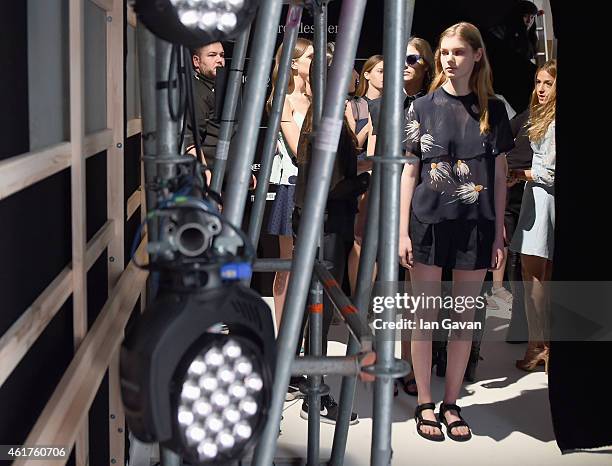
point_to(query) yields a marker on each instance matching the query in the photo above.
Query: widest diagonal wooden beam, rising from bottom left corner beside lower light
(67, 409)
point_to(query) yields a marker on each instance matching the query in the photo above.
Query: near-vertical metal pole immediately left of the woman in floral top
(394, 52)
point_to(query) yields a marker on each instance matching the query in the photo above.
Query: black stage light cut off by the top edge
(194, 23)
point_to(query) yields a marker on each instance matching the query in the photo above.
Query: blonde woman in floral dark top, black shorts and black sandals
(453, 197)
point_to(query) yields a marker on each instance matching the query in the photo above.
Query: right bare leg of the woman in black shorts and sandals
(466, 283)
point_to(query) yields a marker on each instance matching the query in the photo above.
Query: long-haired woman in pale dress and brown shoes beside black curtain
(535, 231)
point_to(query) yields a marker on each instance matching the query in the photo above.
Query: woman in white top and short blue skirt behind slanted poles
(284, 168)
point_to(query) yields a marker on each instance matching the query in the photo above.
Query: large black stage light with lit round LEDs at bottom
(199, 392)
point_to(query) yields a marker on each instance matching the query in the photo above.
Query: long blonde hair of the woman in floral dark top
(481, 82)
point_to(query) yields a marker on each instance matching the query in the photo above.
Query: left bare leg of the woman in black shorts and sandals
(425, 279)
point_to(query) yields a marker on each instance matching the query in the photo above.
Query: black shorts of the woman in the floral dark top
(454, 244)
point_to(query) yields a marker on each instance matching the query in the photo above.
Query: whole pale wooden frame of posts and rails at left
(64, 419)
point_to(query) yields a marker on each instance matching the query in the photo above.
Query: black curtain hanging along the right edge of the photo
(579, 394)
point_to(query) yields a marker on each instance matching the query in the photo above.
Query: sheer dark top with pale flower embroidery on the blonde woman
(457, 162)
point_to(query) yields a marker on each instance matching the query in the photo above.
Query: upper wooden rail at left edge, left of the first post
(21, 171)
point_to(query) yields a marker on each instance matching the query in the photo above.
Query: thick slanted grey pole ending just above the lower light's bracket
(242, 150)
